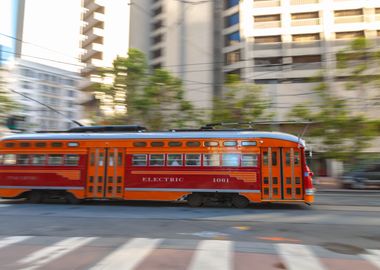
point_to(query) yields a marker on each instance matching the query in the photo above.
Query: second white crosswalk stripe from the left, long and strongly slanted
(48, 254)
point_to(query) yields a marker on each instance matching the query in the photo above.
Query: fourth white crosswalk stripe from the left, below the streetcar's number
(212, 254)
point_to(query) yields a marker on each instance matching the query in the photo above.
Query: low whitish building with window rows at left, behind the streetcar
(54, 87)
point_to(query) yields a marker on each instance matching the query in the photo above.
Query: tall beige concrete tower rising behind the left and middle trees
(183, 37)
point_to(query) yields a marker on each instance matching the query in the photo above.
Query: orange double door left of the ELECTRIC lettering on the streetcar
(105, 173)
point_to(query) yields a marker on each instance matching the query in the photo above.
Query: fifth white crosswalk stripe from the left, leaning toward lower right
(298, 257)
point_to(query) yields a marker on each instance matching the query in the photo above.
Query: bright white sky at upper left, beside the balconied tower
(51, 31)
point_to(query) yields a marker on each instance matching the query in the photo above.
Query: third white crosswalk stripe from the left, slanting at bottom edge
(129, 255)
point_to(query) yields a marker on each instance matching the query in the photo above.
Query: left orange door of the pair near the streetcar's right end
(271, 185)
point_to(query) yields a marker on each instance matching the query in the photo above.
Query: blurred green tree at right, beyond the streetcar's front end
(343, 132)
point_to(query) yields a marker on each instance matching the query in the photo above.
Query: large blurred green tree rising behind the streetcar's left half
(155, 100)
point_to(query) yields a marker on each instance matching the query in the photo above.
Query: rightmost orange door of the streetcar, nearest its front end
(292, 174)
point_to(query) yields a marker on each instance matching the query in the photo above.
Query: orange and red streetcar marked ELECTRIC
(129, 163)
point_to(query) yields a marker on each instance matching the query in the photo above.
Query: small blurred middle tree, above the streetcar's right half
(241, 102)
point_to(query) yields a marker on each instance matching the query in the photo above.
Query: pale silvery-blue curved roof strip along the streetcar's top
(158, 135)
